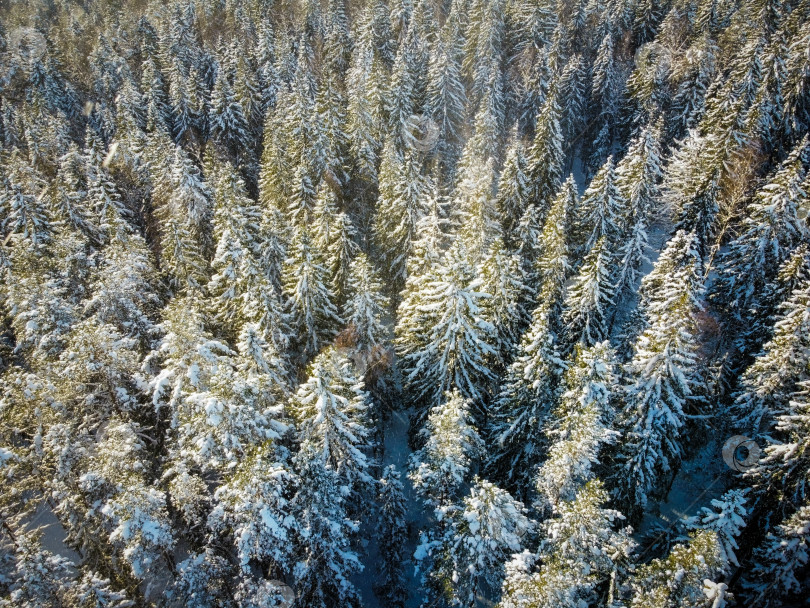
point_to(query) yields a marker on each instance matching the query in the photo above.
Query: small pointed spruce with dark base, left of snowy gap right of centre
(590, 299)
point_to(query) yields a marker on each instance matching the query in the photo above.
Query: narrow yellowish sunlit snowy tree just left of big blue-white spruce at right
(578, 426)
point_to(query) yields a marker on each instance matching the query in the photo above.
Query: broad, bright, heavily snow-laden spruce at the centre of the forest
(454, 341)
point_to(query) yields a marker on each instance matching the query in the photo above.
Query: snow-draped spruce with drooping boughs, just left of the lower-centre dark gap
(331, 409)
